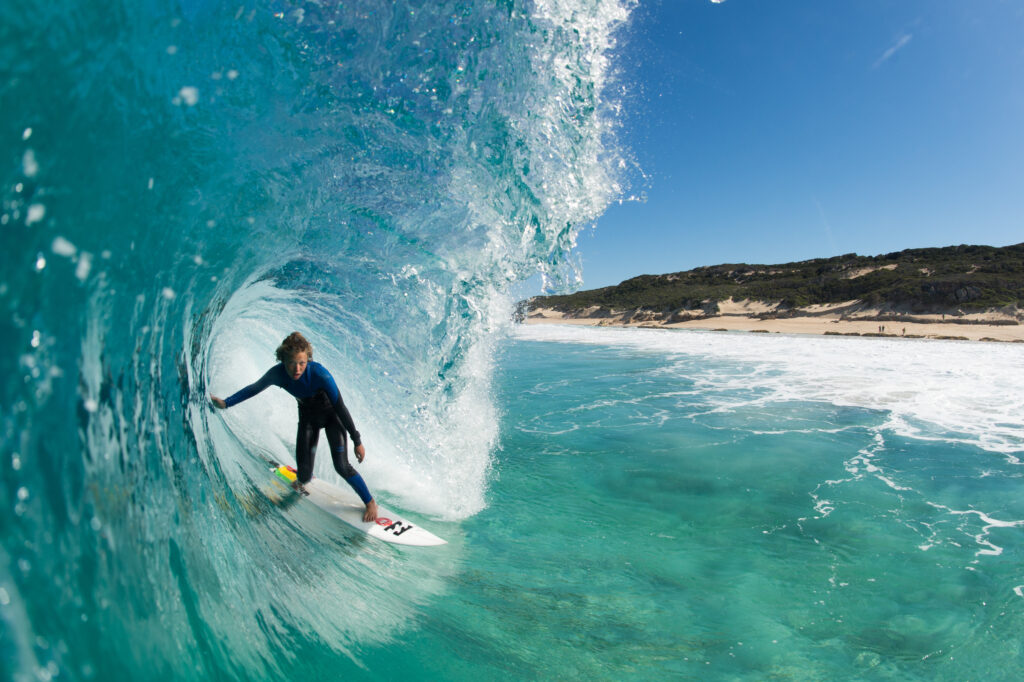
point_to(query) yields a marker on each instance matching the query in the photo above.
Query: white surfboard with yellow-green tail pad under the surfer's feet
(390, 527)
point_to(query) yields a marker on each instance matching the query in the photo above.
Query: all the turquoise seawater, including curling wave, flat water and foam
(185, 184)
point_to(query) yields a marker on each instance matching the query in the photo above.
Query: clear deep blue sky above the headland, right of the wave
(774, 132)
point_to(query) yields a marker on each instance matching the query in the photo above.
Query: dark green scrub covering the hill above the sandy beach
(961, 279)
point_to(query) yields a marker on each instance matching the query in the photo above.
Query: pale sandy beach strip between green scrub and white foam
(845, 319)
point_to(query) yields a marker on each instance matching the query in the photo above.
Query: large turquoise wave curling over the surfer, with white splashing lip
(186, 185)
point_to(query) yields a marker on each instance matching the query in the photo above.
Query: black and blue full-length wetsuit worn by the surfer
(321, 407)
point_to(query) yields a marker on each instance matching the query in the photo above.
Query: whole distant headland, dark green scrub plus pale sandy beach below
(958, 293)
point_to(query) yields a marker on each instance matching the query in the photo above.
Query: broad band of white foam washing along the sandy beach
(963, 393)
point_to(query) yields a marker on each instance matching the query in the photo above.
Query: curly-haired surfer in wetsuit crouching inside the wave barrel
(321, 407)
